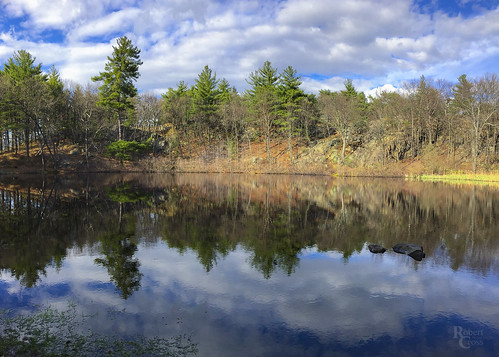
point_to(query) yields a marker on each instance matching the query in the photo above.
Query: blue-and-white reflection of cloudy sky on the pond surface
(368, 303)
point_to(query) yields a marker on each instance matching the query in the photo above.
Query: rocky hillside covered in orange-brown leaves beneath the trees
(322, 158)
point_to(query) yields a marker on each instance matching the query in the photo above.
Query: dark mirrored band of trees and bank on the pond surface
(272, 217)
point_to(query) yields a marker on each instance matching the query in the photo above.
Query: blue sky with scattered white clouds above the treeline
(379, 44)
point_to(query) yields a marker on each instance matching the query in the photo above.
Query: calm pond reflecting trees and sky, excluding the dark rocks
(247, 265)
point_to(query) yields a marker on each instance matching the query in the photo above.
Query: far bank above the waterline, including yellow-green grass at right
(311, 161)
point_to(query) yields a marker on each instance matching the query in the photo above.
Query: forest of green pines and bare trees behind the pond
(436, 121)
